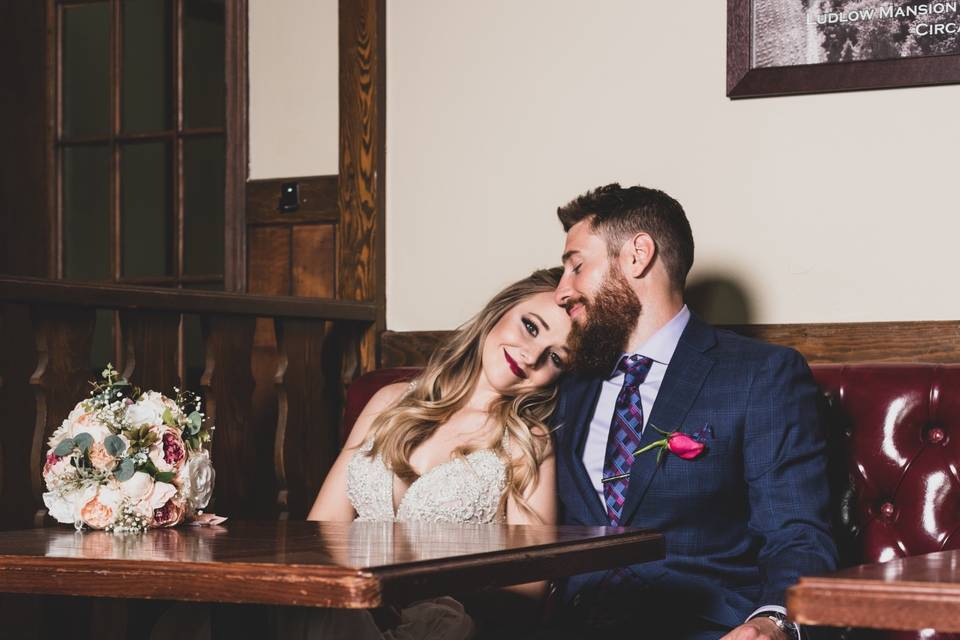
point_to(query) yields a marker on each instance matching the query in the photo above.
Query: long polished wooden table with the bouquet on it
(351, 565)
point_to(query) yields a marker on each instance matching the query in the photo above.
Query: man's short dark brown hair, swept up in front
(617, 214)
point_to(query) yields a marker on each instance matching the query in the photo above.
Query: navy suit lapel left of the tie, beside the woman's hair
(581, 398)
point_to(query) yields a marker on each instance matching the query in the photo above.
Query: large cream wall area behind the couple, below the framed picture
(837, 207)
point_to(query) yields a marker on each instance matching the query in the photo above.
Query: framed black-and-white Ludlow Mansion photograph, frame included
(782, 47)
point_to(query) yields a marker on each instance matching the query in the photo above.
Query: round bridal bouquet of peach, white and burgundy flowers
(128, 461)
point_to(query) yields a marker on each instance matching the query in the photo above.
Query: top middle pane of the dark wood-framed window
(147, 61)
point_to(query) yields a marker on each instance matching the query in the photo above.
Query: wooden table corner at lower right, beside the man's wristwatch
(918, 592)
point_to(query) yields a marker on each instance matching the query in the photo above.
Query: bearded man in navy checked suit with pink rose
(670, 424)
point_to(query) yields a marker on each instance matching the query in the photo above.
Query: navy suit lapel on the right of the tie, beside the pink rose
(681, 385)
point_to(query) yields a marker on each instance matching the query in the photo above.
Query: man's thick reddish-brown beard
(599, 341)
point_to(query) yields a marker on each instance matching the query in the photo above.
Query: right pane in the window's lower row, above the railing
(203, 187)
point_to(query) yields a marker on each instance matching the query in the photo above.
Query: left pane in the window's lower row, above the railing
(86, 213)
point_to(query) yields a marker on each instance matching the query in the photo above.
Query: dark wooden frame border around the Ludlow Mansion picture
(747, 79)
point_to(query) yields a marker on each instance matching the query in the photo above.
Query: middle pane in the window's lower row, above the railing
(146, 218)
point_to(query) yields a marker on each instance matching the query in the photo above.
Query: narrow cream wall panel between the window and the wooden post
(293, 88)
